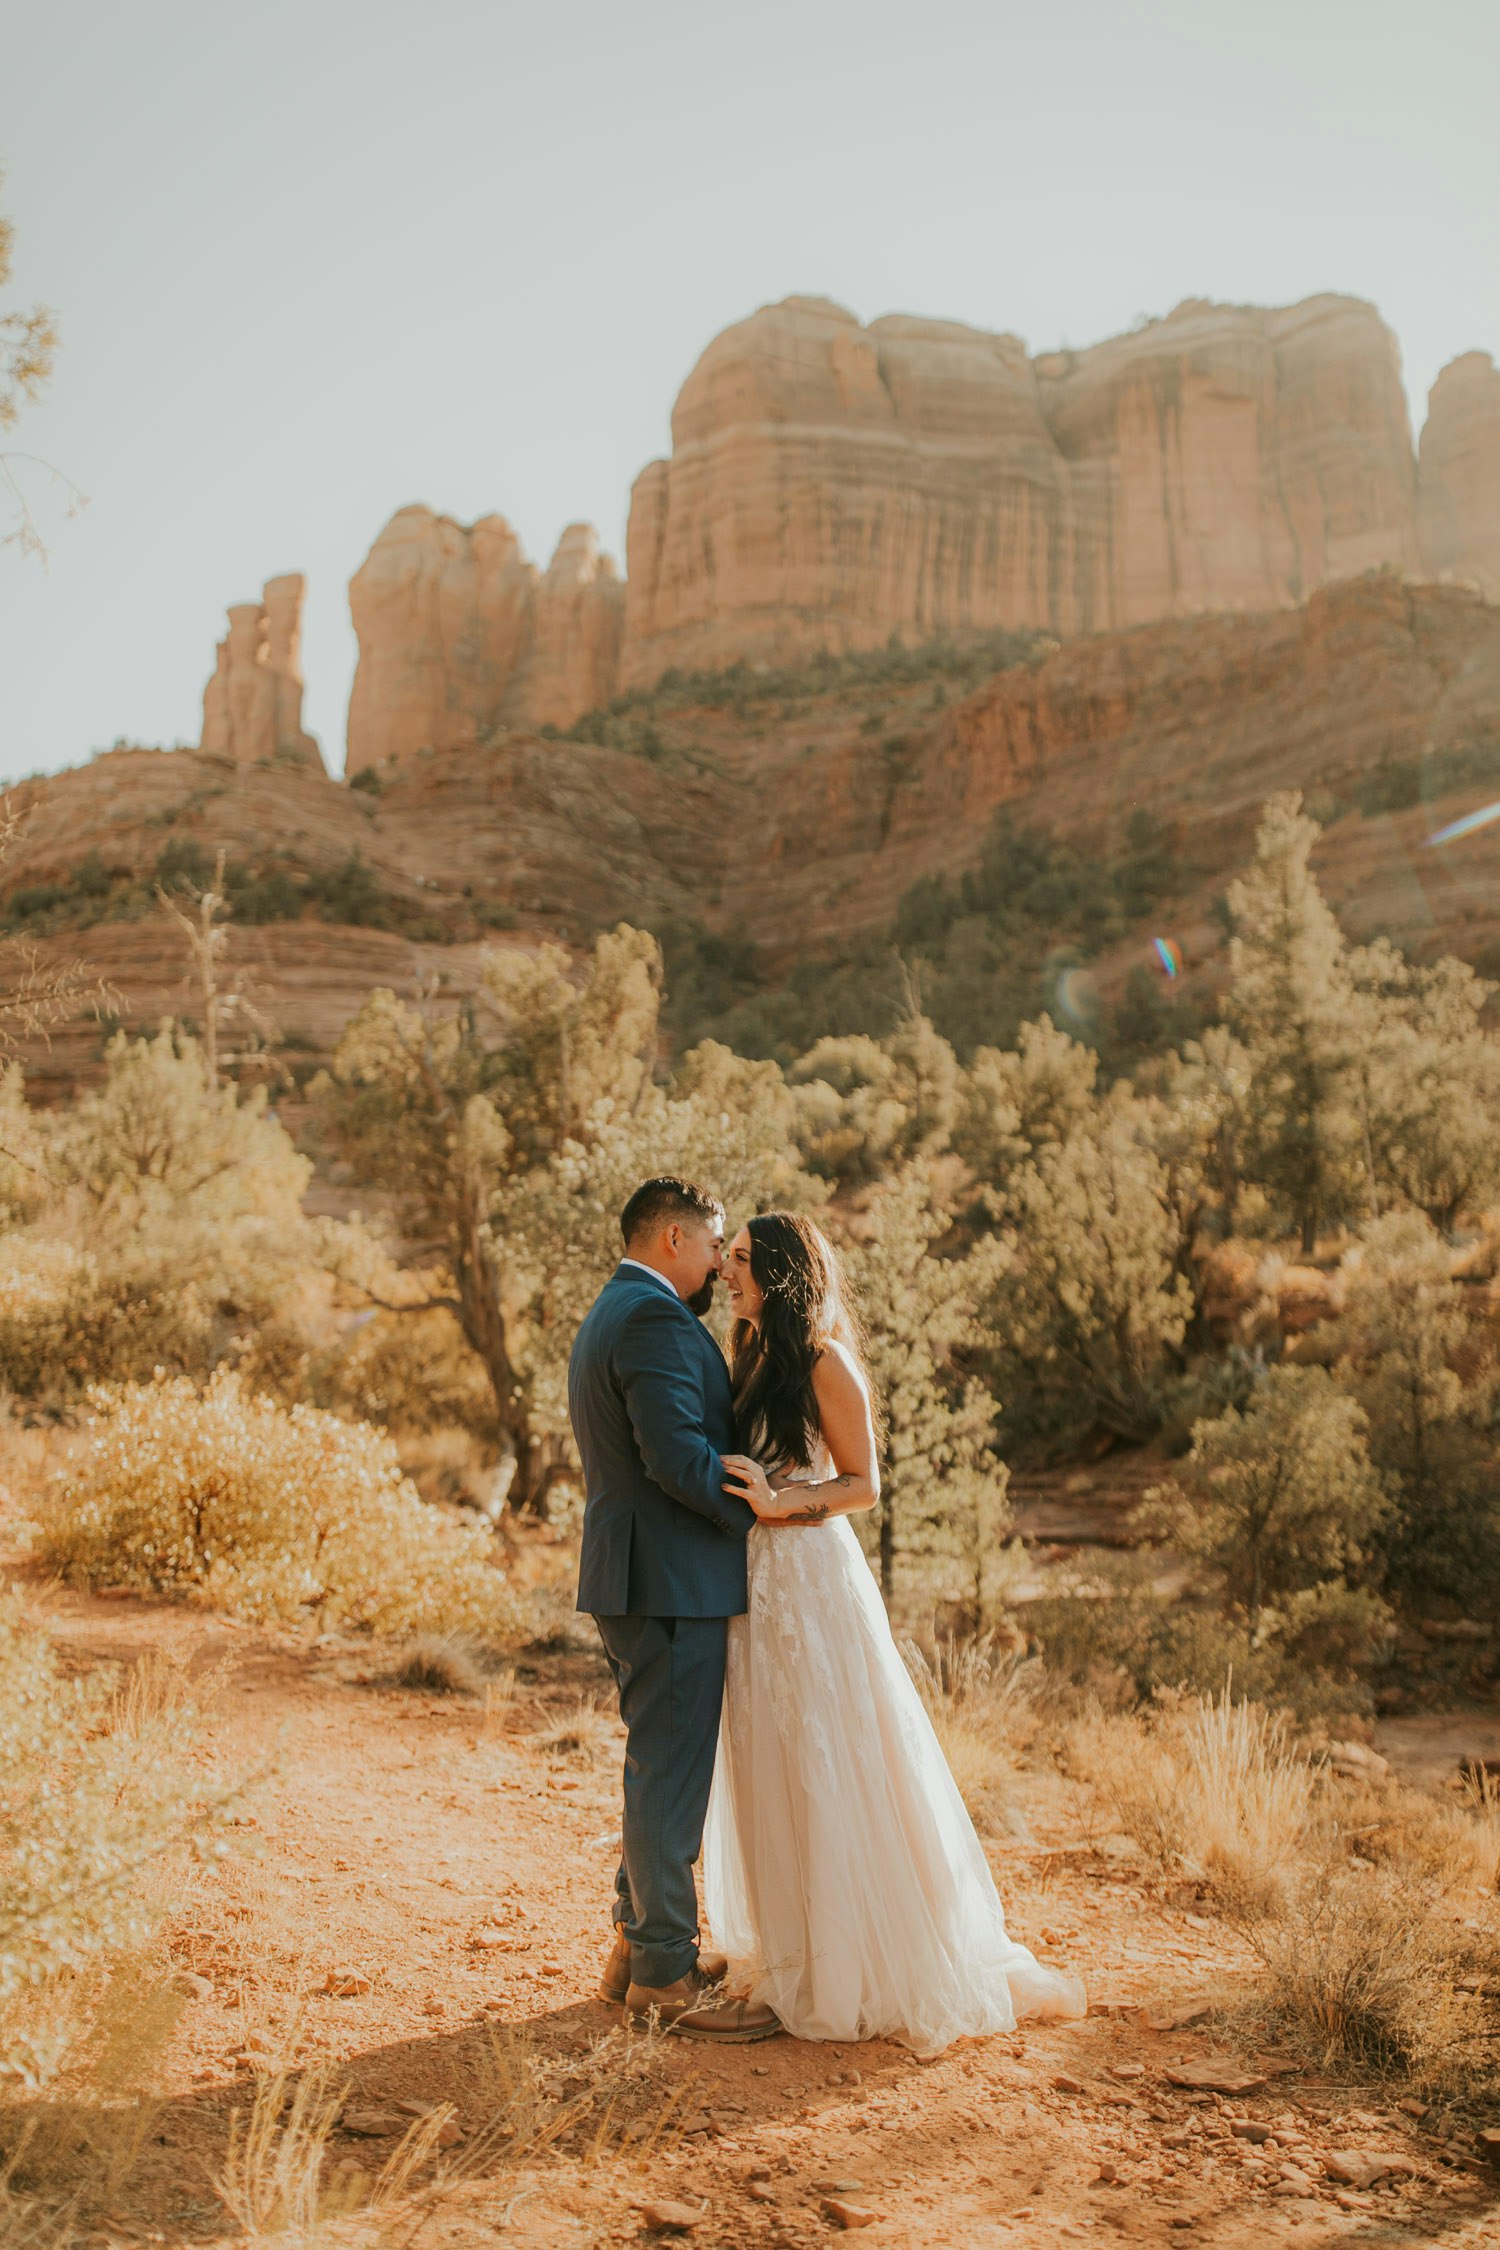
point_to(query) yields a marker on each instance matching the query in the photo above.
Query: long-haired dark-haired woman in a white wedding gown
(840, 1860)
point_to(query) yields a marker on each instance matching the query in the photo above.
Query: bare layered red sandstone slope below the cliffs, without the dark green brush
(840, 800)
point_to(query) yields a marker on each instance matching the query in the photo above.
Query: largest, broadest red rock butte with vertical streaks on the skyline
(833, 485)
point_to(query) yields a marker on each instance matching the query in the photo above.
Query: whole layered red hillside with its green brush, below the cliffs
(777, 825)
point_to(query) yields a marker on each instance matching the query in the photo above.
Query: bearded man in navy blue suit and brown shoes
(662, 1574)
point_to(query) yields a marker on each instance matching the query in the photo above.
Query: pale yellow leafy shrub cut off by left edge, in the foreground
(98, 1783)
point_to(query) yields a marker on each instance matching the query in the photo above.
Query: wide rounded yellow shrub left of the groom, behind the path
(231, 1500)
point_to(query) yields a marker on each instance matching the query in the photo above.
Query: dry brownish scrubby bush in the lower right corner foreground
(1359, 1970)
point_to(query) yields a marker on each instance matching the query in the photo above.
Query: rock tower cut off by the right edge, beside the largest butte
(1461, 474)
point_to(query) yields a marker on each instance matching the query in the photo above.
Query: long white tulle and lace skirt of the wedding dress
(840, 1862)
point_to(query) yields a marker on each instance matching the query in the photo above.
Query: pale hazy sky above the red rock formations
(323, 260)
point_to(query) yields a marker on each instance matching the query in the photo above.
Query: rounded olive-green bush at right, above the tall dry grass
(1281, 1497)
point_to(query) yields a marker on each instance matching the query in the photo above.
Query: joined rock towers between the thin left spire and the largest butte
(460, 636)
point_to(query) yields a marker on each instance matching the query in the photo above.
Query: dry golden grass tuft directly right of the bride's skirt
(979, 1698)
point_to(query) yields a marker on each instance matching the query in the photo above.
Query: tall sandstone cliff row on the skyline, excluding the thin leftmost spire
(835, 485)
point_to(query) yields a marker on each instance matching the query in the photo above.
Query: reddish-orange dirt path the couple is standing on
(453, 1873)
